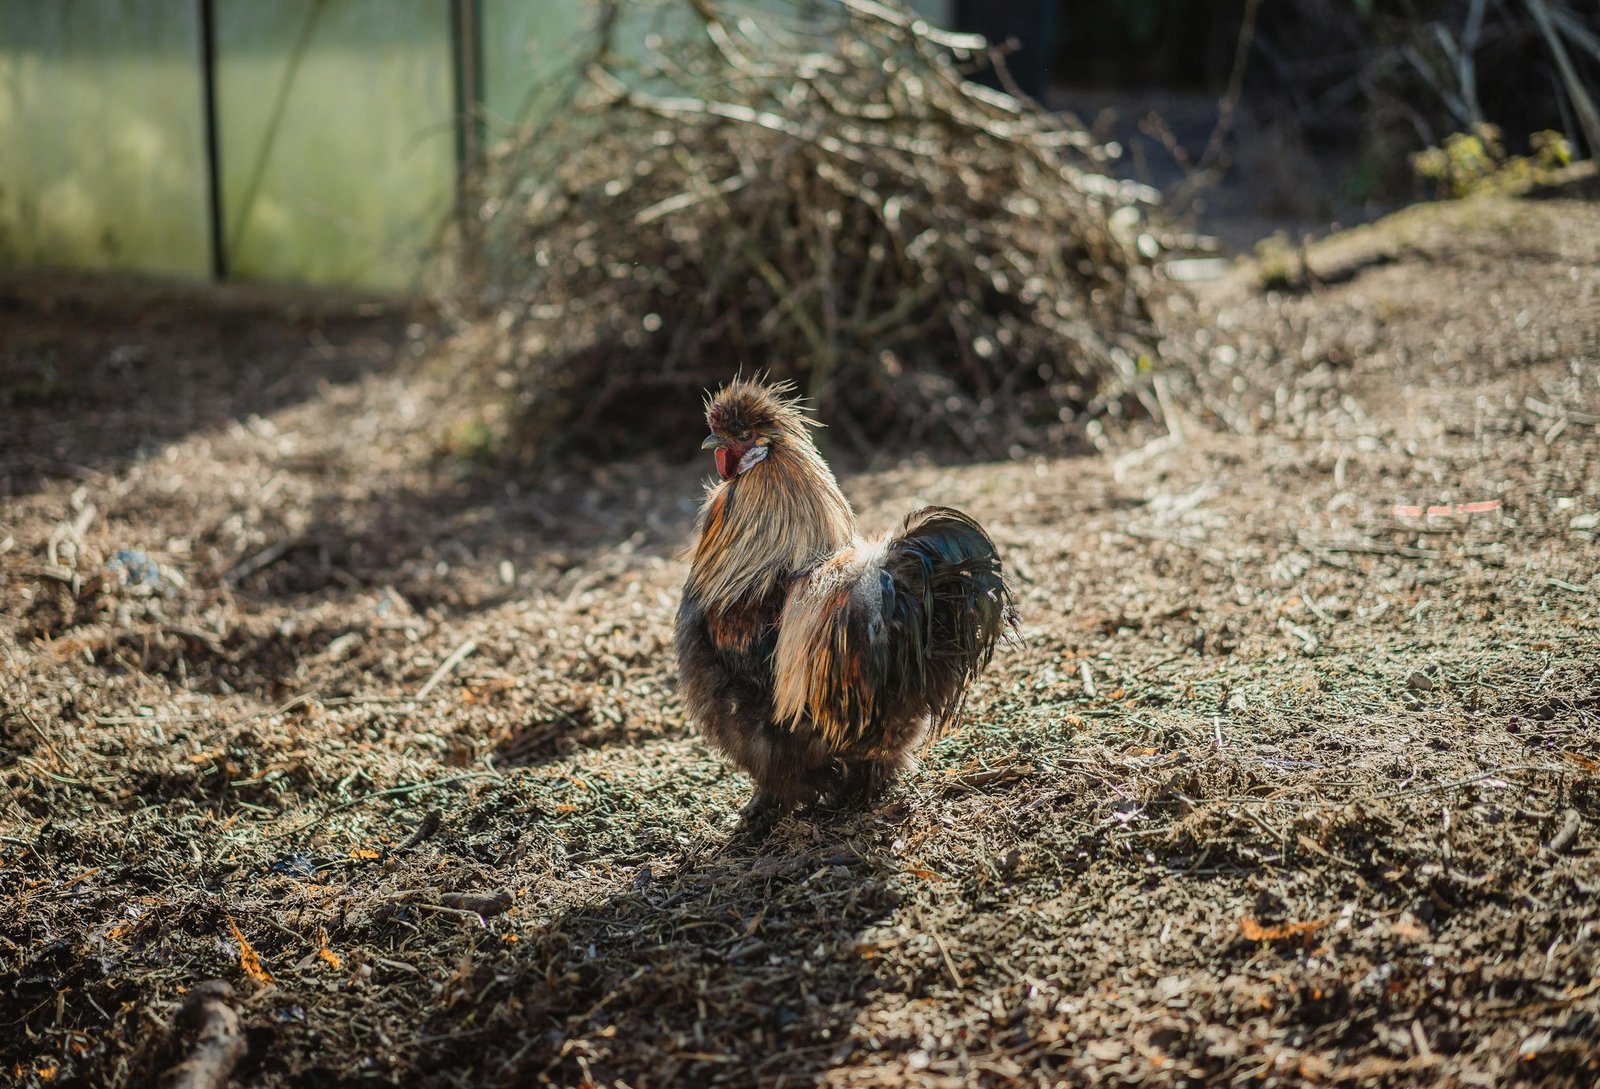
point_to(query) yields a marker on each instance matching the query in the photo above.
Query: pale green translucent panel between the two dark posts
(337, 138)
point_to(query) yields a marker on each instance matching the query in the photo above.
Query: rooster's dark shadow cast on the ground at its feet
(737, 968)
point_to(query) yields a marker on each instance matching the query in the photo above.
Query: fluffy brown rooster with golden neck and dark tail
(812, 658)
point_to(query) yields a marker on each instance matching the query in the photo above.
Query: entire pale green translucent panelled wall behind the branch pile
(337, 132)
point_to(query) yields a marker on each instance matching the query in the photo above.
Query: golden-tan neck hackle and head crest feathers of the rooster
(775, 521)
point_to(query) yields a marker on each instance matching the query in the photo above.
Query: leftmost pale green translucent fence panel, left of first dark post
(103, 159)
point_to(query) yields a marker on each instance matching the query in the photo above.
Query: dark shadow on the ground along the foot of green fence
(97, 375)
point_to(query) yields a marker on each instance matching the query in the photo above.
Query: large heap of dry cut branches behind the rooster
(828, 197)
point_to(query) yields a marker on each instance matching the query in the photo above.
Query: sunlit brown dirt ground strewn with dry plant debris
(1292, 776)
